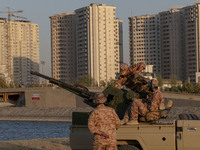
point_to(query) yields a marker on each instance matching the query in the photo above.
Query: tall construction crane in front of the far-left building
(10, 14)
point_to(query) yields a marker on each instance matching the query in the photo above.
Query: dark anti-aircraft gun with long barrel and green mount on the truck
(116, 98)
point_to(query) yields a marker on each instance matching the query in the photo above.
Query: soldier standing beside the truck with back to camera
(103, 123)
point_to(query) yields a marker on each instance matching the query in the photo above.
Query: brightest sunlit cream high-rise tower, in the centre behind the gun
(98, 42)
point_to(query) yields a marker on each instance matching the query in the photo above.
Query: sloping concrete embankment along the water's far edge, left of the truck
(38, 114)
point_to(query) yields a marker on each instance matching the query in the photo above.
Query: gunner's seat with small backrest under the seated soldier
(163, 113)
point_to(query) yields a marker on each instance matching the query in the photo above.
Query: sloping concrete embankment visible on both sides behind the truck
(183, 103)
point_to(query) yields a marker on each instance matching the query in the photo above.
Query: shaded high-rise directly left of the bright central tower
(63, 48)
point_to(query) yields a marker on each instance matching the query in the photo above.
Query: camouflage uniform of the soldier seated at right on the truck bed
(140, 108)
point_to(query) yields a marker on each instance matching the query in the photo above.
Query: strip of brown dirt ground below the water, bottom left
(36, 144)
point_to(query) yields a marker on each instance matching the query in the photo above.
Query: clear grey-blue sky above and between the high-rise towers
(38, 11)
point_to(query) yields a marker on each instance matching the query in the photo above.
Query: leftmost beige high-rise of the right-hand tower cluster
(144, 41)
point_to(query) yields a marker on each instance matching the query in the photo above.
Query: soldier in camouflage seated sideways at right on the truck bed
(140, 107)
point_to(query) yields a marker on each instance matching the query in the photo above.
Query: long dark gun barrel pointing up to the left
(80, 92)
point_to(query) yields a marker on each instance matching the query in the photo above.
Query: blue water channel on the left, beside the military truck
(11, 130)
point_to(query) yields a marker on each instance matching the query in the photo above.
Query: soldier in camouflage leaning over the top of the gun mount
(130, 76)
